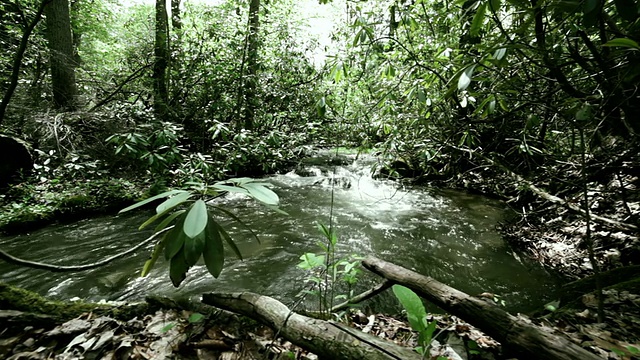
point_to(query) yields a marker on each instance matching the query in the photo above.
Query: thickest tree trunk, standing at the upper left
(63, 77)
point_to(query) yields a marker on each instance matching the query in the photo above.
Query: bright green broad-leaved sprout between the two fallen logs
(417, 316)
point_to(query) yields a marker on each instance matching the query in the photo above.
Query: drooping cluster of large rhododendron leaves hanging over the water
(196, 233)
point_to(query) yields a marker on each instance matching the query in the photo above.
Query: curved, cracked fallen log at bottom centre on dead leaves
(324, 338)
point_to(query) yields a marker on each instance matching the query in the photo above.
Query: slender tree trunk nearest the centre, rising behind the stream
(250, 83)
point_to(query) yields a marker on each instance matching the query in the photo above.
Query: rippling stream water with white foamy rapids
(448, 235)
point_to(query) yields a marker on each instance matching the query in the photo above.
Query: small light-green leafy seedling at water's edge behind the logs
(332, 272)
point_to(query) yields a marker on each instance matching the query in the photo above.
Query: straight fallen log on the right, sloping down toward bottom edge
(517, 335)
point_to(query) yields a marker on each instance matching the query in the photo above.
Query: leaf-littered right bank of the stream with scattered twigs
(557, 234)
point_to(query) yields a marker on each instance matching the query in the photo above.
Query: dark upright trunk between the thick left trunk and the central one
(161, 57)
